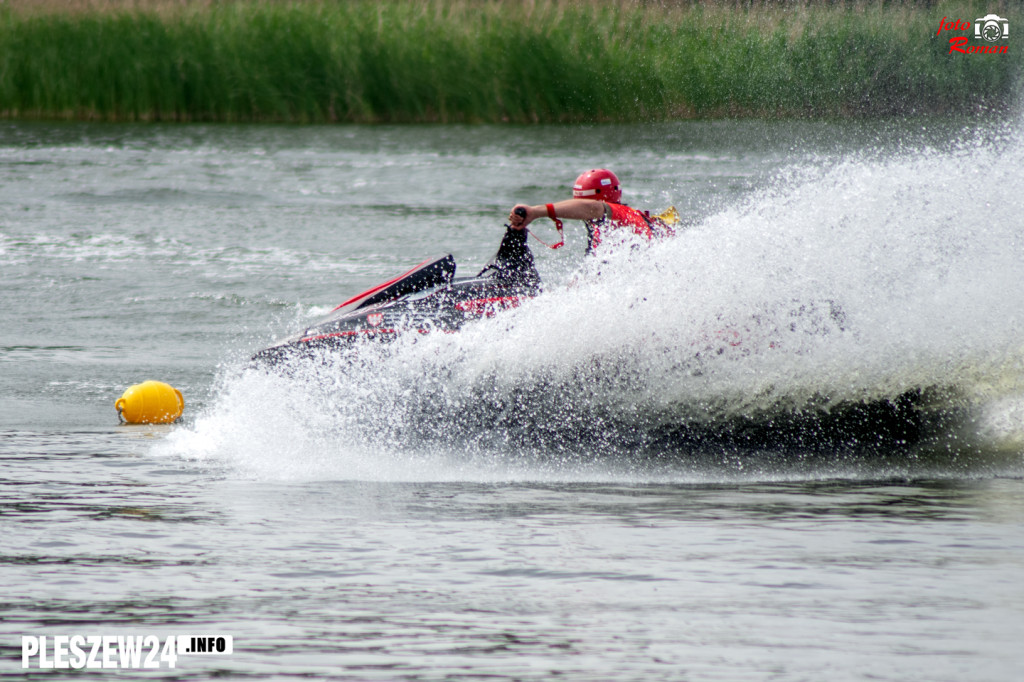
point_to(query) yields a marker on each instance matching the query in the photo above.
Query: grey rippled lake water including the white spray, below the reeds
(786, 445)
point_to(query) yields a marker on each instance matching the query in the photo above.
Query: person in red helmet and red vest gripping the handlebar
(596, 199)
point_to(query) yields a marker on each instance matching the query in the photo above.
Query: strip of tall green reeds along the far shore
(497, 61)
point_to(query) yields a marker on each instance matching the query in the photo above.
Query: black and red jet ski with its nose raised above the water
(428, 299)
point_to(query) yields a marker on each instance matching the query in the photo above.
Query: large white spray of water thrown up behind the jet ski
(849, 282)
